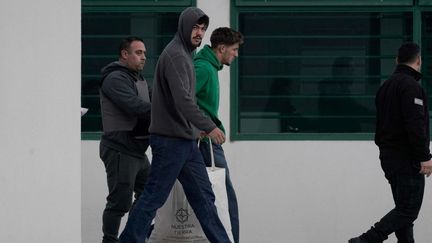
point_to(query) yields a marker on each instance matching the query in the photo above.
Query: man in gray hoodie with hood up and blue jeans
(176, 122)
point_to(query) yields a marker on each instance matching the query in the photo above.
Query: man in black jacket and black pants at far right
(402, 135)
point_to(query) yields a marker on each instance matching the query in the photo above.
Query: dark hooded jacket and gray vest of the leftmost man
(125, 108)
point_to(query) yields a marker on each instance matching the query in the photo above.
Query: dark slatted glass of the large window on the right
(315, 72)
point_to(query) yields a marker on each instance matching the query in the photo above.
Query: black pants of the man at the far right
(407, 186)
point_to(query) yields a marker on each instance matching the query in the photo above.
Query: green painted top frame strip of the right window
(325, 2)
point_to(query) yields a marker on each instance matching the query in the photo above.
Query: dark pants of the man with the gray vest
(126, 174)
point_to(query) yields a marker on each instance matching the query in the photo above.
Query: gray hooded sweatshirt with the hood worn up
(174, 112)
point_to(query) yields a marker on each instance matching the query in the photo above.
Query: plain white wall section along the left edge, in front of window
(40, 167)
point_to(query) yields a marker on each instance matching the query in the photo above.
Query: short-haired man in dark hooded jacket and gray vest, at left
(125, 106)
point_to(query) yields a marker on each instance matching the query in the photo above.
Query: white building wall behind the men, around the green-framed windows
(289, 191)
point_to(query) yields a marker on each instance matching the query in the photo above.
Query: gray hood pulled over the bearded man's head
(188, 18)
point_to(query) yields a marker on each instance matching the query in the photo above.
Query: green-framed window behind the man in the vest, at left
(104, 24)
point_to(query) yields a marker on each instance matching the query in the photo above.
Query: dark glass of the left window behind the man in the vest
(101, 35)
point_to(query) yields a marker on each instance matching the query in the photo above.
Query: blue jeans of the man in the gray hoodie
(175, 158)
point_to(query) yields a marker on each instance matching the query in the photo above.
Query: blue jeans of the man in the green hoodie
(220, 161)
